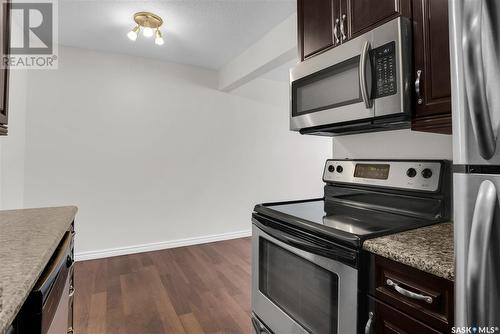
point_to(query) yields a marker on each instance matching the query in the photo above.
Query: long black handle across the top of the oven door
(308, 246)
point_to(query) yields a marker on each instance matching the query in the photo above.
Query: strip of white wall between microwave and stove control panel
(400, 144)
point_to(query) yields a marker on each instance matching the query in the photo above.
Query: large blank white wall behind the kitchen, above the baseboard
(153, 152)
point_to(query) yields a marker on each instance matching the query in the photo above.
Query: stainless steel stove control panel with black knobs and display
(411, 175)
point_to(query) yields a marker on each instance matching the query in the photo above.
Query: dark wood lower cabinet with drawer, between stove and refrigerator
(406, 300)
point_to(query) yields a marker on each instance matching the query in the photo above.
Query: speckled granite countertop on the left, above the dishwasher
(28, 238)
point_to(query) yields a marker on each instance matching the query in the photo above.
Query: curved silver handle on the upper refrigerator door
(475, 86)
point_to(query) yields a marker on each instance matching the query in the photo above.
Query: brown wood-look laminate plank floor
(196, 289)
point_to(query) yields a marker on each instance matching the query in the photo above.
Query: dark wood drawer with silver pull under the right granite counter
(425, 297)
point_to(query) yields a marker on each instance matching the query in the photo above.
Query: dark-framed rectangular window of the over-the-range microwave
(333, 87)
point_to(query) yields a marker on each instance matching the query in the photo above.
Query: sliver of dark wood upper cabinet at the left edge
(4, 72)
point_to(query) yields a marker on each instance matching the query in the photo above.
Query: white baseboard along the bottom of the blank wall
(103, 253)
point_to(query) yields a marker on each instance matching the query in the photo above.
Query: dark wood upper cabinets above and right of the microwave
(318, 20)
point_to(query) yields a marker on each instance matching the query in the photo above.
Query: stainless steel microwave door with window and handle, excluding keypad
(333, 87)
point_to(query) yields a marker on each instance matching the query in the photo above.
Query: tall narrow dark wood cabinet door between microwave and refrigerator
(432, 64)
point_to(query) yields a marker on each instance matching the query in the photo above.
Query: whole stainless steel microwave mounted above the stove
(362, 85)
